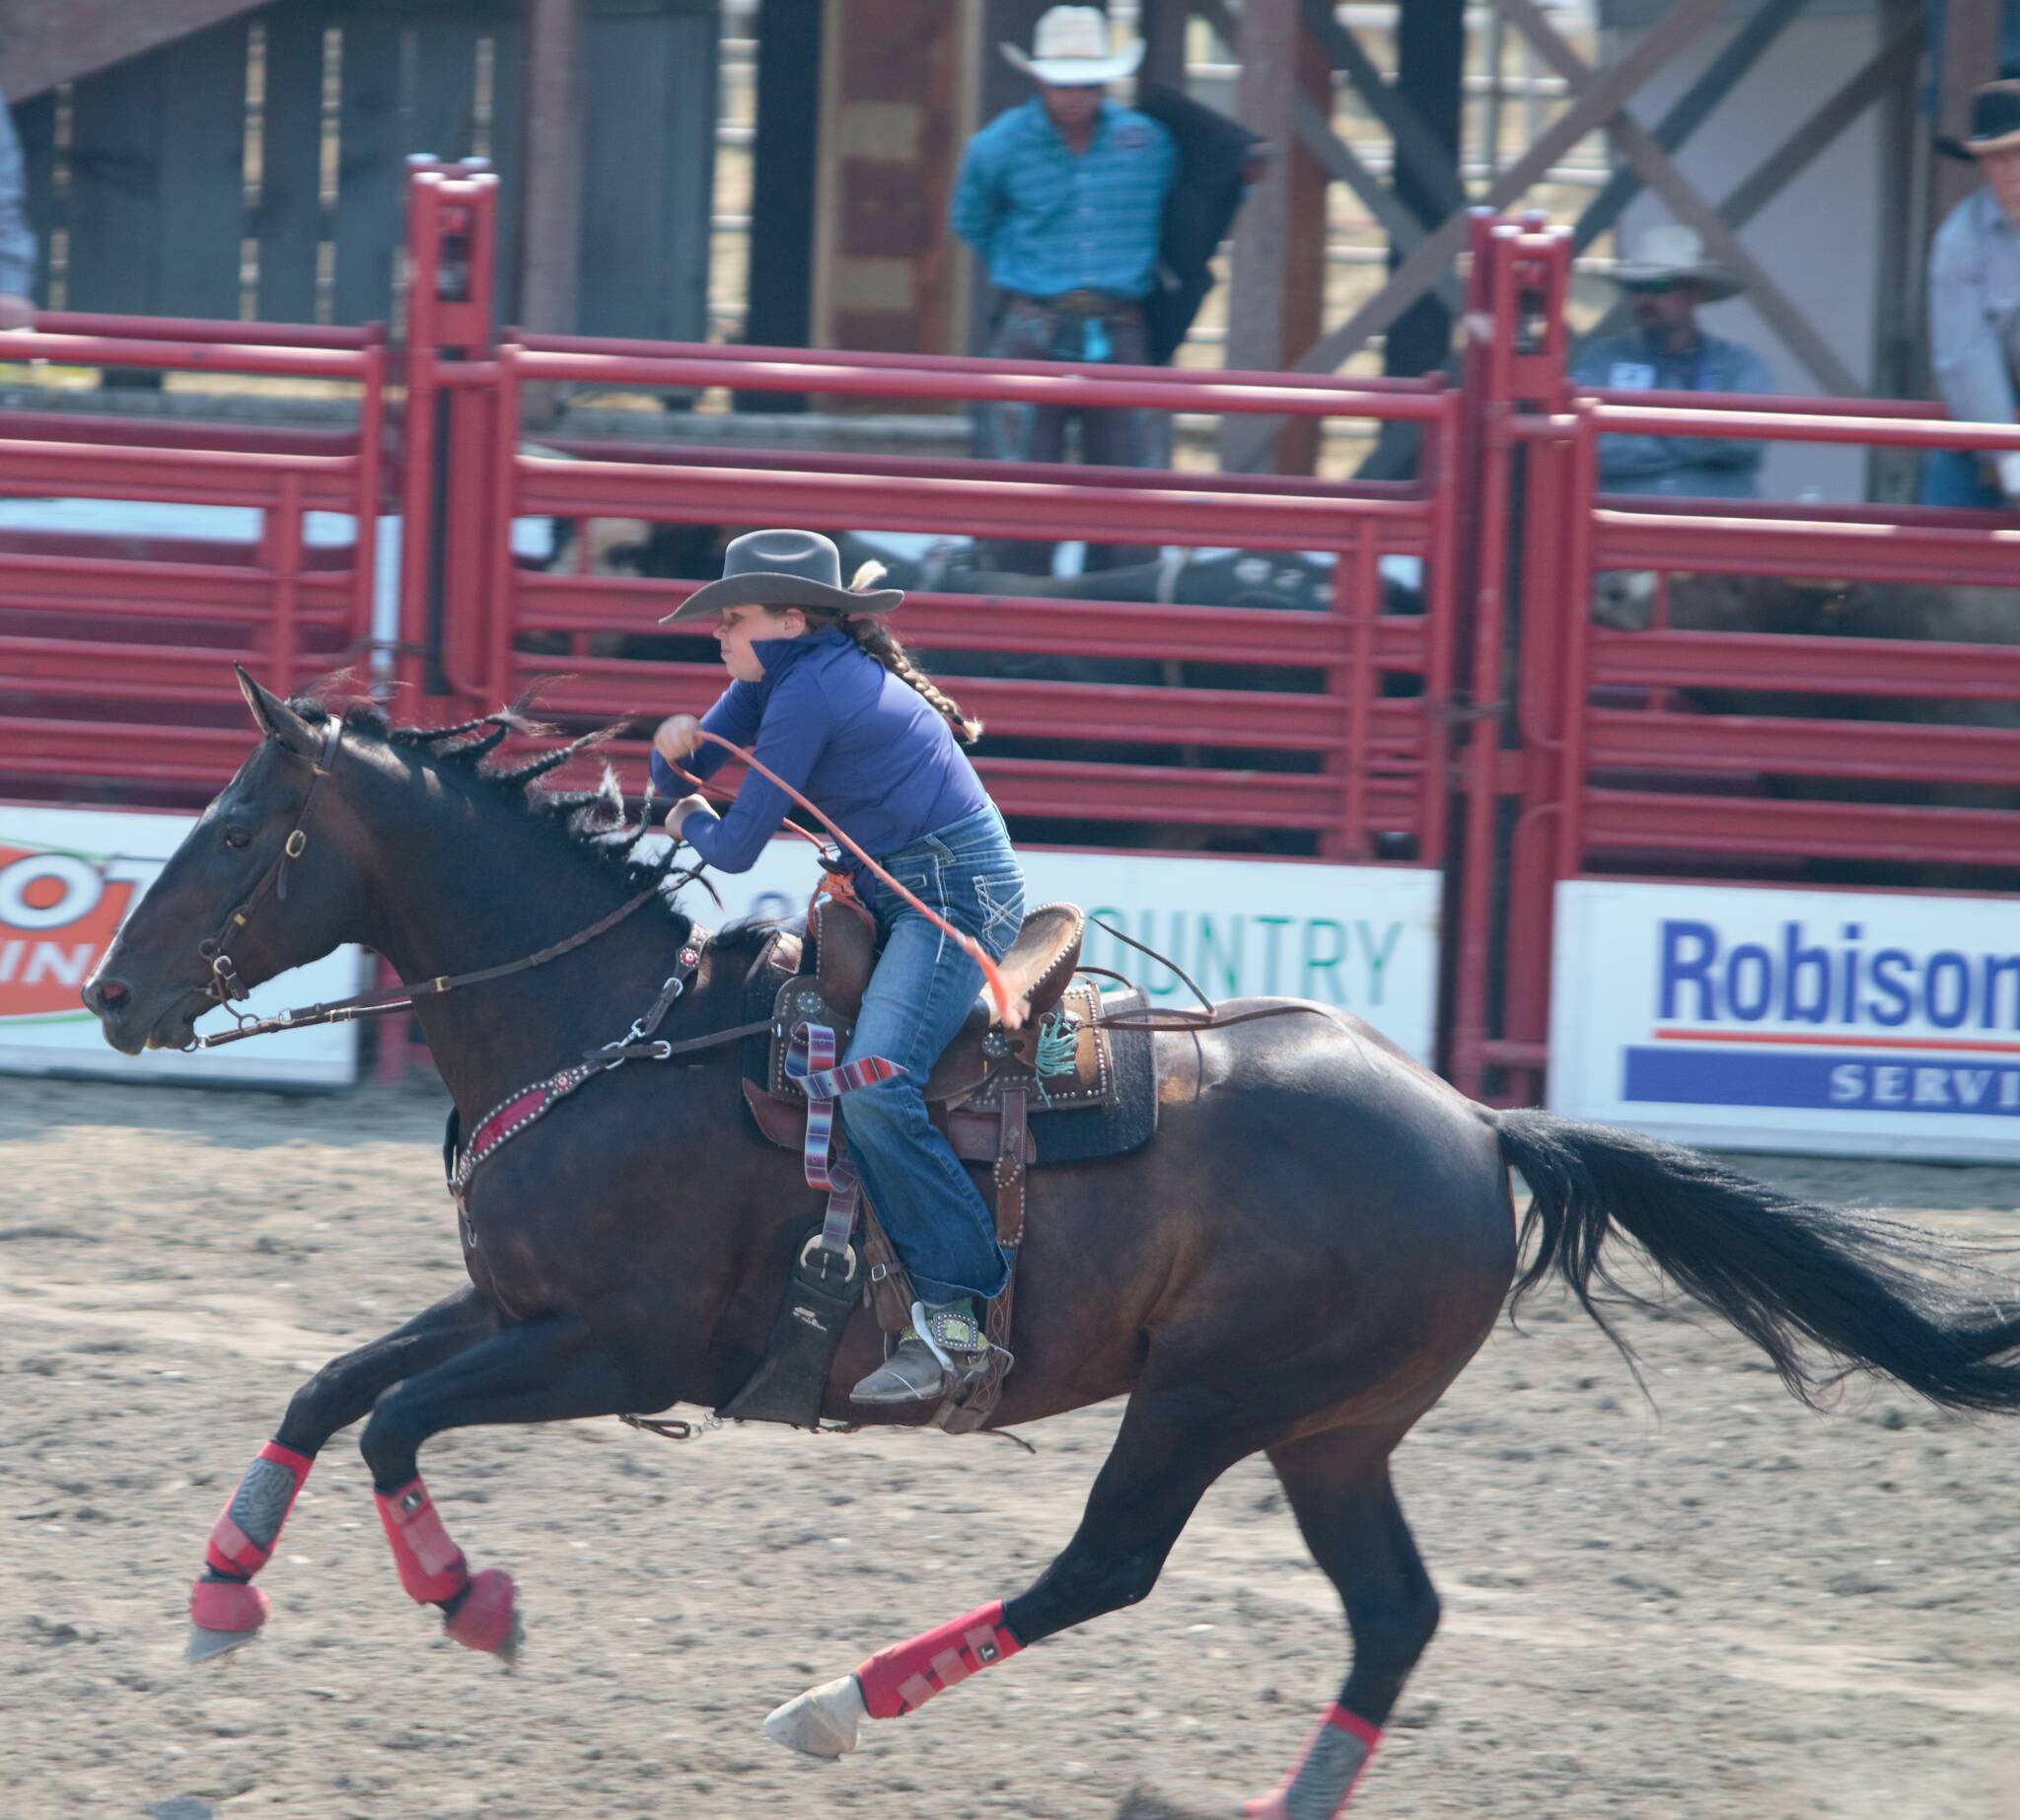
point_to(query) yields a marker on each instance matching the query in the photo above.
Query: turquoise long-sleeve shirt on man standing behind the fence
(1049, 221)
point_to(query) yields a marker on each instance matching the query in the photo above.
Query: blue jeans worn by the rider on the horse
(916, 1003)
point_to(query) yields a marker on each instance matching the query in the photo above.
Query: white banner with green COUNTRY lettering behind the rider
(1365, 938)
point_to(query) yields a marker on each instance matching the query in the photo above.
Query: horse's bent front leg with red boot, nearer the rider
(548, 1371)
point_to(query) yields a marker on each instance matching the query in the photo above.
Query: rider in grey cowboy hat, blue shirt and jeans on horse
(825, 696)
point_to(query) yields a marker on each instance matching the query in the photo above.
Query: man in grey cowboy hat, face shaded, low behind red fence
(1665, 284)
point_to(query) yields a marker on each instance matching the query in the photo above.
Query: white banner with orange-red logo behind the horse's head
(68, 882)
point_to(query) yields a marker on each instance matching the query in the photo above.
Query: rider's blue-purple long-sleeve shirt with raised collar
(837, 726)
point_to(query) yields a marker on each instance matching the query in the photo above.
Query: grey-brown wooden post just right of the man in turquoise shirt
(1264, 229)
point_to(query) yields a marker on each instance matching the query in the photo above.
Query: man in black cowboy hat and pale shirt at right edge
(1975, 306)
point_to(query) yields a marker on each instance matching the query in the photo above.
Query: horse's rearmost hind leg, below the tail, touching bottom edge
(1340, 1490)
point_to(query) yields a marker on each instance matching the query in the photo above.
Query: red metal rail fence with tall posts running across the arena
(1490, 726)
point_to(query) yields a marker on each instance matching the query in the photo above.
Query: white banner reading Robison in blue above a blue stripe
(1811, 1021)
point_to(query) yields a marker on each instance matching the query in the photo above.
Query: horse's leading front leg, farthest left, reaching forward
(225, 1607)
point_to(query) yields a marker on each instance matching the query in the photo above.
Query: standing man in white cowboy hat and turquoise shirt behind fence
(1064, 201)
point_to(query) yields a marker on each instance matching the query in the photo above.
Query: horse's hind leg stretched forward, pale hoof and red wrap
(1171, 1449)
